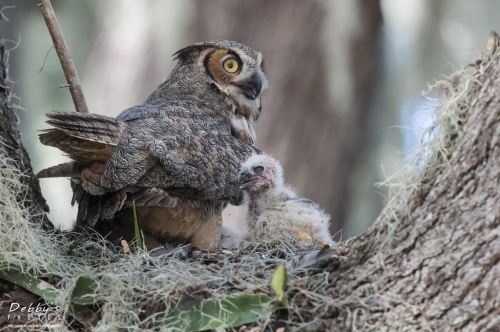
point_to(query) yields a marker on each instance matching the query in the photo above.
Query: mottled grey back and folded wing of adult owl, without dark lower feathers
(185, 150)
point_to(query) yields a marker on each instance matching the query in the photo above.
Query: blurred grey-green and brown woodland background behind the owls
(344, 108)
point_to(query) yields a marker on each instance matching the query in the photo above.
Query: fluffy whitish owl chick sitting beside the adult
(274, 210)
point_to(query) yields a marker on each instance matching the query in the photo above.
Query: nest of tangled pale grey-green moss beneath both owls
(159, 289)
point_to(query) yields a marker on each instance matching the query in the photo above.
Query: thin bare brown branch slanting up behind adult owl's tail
(63, 54)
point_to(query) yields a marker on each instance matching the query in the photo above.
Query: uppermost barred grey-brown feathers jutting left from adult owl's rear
(87, 126)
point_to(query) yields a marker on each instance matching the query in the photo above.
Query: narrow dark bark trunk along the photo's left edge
(13, 149)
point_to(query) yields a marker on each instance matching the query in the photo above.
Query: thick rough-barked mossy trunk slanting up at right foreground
(431, 260)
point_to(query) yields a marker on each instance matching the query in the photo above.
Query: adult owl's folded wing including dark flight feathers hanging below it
(173, 151)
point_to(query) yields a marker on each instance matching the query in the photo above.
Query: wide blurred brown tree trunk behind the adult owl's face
(309, 129)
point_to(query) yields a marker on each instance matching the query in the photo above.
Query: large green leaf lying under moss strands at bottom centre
(202, 315)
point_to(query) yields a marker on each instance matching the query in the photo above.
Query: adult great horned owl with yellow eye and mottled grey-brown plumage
(176, 155)
